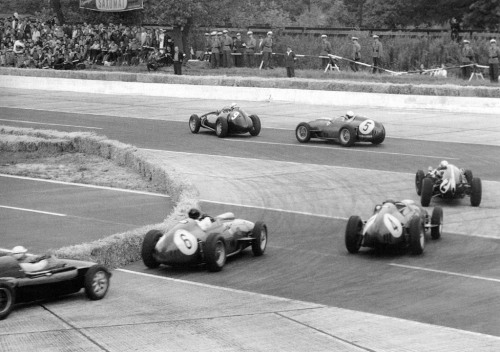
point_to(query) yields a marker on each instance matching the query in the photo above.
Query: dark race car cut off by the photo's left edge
(66, 277)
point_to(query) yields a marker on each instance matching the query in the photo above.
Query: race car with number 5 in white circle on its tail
(346, 130)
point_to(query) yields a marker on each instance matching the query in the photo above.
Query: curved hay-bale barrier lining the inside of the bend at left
(118, 249)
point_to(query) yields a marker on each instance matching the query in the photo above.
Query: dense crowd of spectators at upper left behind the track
(31, 42)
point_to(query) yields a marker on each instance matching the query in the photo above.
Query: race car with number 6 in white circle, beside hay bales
(203, 239)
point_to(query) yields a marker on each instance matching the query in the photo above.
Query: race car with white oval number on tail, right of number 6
(402, 224)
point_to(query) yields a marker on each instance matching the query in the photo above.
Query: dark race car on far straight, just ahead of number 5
(229, 120)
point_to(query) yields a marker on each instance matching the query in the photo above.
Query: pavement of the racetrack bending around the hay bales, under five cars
(456, 283)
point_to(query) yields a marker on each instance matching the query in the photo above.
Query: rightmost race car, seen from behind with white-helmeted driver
(449, 182)
